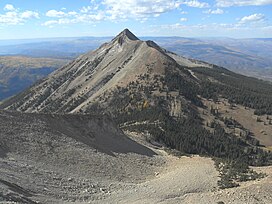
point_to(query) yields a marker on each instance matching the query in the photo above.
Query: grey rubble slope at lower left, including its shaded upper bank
(67, 157)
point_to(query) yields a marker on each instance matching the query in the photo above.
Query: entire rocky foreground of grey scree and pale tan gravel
(42, 162)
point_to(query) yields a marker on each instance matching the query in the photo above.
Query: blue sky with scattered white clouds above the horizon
(20, 19)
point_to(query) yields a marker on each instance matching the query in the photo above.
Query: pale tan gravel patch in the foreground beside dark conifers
(179, 178)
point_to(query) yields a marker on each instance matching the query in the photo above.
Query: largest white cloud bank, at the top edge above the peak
(113, 10)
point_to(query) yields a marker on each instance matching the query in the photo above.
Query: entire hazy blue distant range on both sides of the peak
(251, 57)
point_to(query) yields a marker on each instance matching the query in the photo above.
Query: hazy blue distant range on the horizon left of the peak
(67, 48)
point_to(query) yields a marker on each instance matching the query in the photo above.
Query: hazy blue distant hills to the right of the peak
(251, 57)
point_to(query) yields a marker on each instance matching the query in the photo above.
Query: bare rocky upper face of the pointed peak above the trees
(120, 63)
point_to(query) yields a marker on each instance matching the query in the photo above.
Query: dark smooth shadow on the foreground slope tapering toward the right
(98, 132)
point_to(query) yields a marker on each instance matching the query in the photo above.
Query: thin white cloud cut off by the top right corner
(228, 3)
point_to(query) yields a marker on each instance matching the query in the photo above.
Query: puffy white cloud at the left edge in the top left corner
(14, 16)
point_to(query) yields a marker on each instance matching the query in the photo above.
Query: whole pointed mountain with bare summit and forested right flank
(145, 90)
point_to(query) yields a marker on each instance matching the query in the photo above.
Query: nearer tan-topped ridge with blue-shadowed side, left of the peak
(19, 72)
